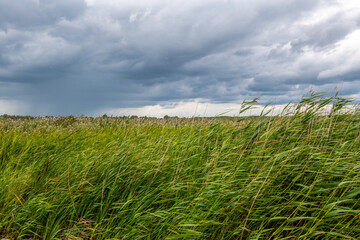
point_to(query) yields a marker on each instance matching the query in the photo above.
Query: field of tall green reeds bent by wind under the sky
(291, 176)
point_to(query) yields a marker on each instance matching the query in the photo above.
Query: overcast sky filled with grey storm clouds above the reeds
(175, 57)
